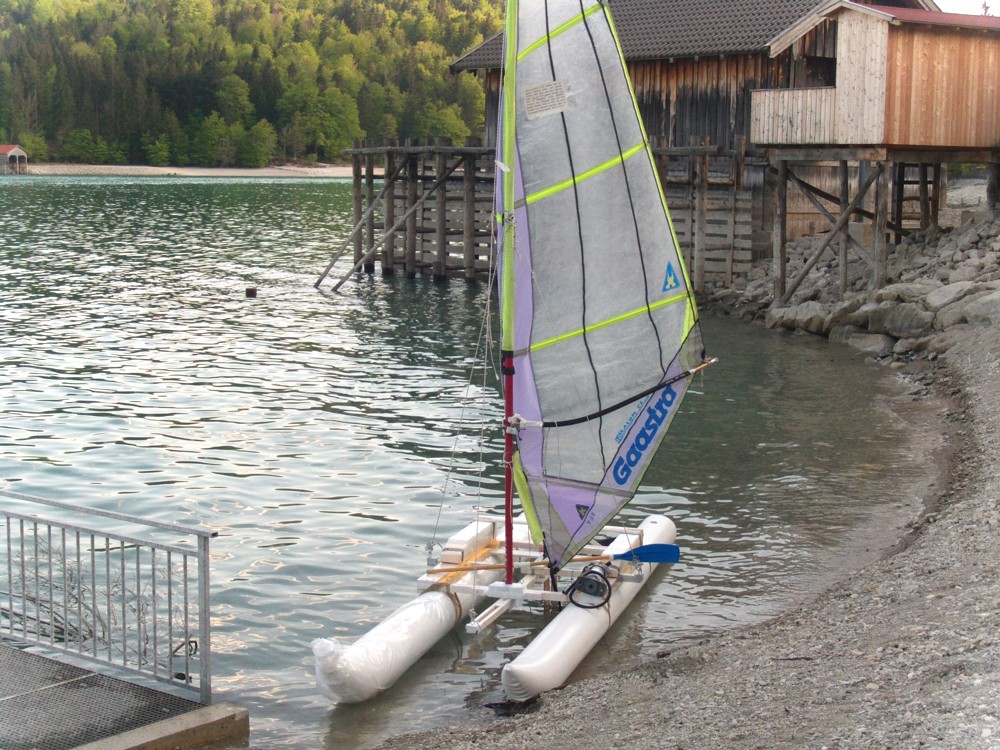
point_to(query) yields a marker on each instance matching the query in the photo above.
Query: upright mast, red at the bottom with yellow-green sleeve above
(505, 167)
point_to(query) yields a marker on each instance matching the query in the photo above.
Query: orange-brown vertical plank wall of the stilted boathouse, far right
(944, 87)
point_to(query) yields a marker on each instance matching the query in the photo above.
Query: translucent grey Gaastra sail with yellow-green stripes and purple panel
(598, 318)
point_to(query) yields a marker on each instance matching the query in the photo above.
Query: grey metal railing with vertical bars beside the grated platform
(108, 592)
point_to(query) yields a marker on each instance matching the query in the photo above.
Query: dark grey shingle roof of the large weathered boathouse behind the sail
(680, 28)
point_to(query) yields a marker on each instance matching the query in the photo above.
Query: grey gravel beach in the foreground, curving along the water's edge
(903, 653)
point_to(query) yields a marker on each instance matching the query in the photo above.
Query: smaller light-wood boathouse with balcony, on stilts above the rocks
(913, 90)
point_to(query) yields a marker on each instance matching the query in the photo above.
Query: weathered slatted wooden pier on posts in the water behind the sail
(433, 213)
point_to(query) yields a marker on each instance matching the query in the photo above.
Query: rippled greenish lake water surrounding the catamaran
(326, 438)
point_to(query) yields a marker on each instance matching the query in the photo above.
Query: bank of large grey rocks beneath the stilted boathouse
(940, 280)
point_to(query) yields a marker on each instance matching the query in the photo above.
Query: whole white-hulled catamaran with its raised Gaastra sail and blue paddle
(600, 340)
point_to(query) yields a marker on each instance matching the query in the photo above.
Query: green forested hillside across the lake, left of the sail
(234, 82)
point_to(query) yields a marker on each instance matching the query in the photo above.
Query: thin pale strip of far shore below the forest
(327, 171)
